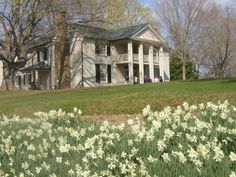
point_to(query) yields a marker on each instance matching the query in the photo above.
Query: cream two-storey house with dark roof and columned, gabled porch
(98, 57)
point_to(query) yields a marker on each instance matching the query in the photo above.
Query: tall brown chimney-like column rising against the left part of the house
(62, 50)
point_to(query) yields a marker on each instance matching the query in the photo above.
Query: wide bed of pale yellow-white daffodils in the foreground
(191, 140)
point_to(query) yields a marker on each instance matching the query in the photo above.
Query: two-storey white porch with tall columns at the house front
(142, 60)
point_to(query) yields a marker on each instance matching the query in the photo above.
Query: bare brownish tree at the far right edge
(217, 45)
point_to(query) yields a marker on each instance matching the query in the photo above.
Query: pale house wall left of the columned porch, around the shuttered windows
(90, 58)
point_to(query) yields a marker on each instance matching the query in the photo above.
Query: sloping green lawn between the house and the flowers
(118, 100)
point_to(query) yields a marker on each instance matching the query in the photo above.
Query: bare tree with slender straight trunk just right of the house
(181, 19)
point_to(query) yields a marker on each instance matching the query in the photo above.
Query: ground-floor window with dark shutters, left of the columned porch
(103, 73)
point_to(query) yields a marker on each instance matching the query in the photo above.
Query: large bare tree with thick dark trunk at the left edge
(18, 22)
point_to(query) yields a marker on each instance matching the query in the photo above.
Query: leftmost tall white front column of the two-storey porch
(130, 62)
